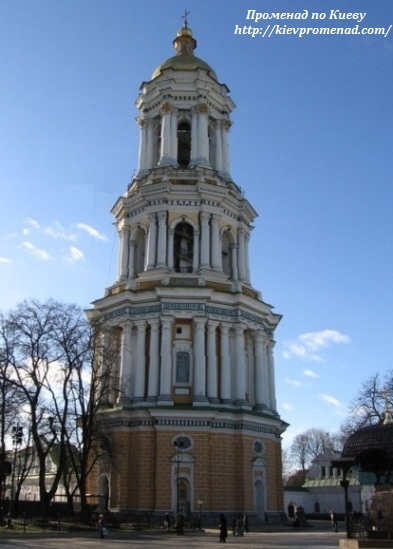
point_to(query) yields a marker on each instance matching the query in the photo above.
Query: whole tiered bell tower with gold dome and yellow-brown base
(192, 411)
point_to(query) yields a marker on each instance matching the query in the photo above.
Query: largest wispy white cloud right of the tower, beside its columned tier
(308, 345)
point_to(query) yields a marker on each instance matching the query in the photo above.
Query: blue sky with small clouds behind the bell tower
(311, 145)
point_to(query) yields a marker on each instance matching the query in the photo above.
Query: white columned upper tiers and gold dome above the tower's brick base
(198, 329)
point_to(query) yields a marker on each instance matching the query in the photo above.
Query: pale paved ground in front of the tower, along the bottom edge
(283, 539)
